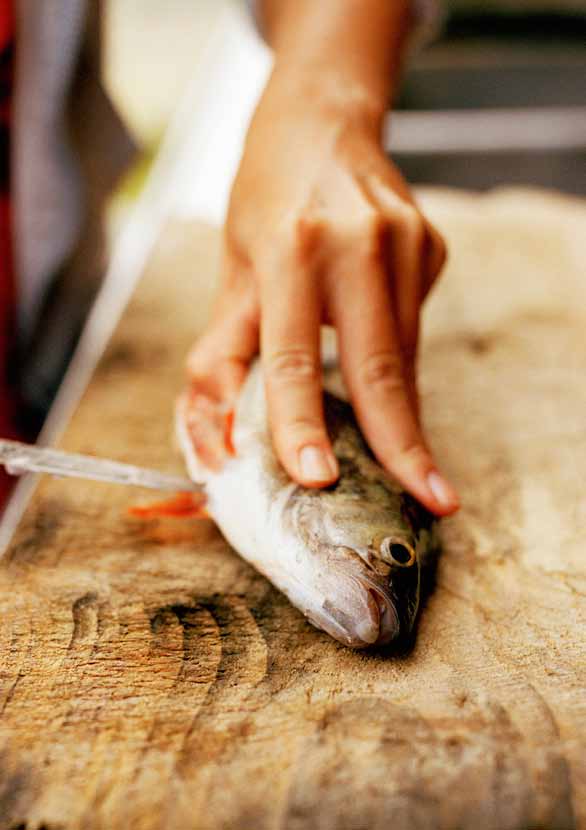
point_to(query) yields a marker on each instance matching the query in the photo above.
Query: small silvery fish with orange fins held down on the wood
(348, 556)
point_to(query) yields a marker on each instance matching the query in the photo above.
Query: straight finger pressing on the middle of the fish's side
(290, 346)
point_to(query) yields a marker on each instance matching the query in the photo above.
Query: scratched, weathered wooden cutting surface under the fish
(151, 679)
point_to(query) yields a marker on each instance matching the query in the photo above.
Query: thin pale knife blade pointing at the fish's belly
(20, 458)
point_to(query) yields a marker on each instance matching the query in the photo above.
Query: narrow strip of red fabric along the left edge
(7, 298)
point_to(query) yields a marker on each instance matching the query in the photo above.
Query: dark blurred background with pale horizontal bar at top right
(499, 98)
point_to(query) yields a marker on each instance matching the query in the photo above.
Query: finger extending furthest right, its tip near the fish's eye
(373, 368)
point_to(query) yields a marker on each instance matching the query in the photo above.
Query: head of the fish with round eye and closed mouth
(367, 538)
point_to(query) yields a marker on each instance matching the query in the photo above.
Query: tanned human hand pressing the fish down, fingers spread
(322, 229)
